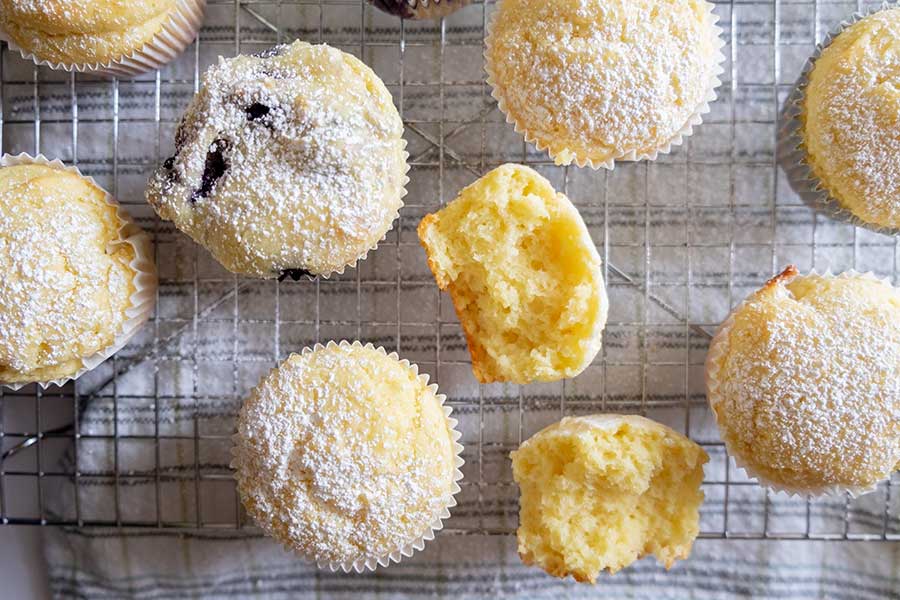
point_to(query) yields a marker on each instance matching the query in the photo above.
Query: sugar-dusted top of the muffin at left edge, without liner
(67, 277)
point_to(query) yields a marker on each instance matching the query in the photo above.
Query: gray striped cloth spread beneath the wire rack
(702, 227)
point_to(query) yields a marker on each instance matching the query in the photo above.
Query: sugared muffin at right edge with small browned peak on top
(804, 380)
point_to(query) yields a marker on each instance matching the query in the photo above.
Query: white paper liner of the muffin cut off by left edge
(143, 300)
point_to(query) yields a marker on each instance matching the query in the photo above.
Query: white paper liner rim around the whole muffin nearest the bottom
(370, 563)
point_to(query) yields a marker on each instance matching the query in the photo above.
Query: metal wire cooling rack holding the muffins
(143, 440)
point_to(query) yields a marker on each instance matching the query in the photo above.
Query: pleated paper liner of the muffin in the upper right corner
(792, 148)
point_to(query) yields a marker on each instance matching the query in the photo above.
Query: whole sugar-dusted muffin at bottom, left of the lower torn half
(345, 455)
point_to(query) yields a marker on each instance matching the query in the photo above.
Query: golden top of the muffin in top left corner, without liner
(83, 31)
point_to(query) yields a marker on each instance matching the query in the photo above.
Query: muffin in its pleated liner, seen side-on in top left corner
(127, 36)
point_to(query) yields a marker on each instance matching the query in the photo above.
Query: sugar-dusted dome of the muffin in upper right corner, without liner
(851, 119)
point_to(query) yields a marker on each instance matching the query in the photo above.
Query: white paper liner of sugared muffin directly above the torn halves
(676, 140)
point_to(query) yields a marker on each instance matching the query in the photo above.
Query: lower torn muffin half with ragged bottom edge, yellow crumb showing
(601, 491)
